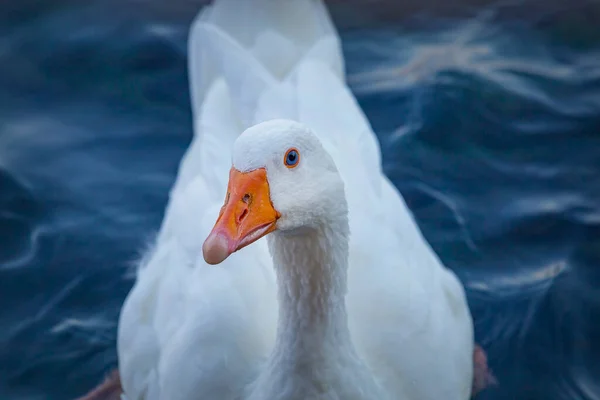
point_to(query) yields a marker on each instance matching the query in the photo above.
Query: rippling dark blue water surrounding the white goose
(489, 125)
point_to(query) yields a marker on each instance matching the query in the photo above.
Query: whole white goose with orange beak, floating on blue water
(344, 299)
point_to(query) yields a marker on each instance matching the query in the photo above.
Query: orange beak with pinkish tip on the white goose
(246, 216)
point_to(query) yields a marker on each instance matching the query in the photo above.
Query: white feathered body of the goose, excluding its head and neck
(189, 330)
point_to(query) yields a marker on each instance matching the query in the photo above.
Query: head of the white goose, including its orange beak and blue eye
(282, 179)
